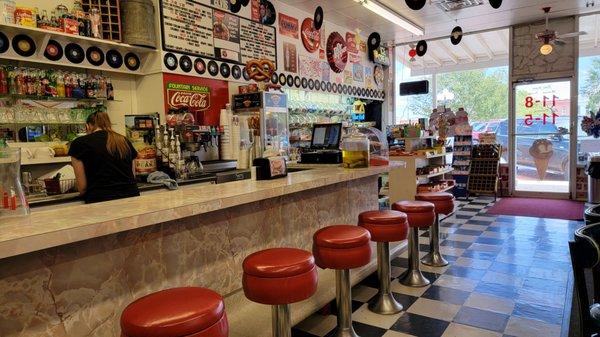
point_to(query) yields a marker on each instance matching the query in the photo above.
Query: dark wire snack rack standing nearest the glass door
(484, 170)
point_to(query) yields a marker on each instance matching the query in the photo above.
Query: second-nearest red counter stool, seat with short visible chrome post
(279, 277)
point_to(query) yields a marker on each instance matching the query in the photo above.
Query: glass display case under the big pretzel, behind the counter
(268, 112)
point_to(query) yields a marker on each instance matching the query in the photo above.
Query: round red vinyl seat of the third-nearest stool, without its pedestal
(342, 247)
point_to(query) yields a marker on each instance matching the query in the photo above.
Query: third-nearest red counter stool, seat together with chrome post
(342, 248)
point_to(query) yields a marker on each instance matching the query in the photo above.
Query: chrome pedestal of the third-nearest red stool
(344, 303)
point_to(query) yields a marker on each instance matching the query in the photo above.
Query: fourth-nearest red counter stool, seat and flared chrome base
(384, 227)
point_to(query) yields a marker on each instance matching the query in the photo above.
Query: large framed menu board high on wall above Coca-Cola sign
(192, 28)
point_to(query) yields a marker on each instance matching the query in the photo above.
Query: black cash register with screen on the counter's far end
(324, 145)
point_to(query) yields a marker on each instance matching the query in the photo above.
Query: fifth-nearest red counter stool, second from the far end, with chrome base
(421, 214)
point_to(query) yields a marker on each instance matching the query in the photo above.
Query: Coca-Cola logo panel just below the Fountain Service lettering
(193, 97)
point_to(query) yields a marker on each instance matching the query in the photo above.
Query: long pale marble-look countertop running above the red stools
(63, 225)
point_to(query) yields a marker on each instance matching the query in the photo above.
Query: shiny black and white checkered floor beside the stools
(508, 276)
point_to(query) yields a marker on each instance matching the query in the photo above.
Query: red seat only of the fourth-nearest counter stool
(385, 226)
